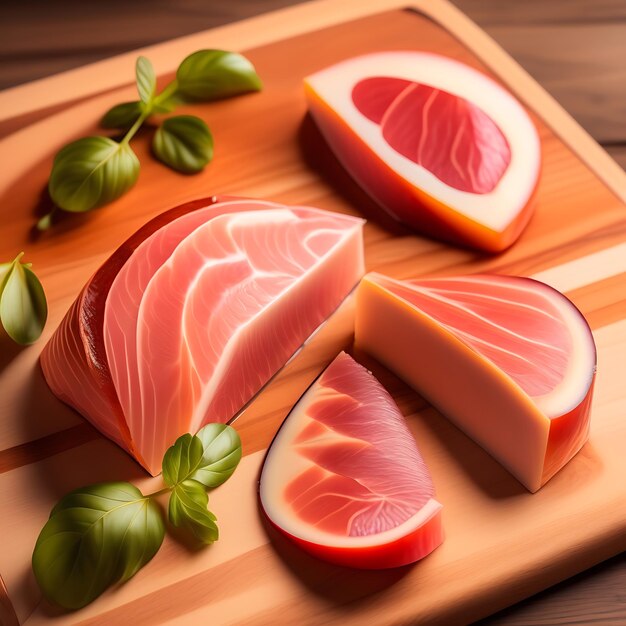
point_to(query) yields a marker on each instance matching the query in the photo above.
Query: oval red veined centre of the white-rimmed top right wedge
(447, 135)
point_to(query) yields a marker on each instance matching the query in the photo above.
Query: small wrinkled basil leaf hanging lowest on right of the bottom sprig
(188, 509)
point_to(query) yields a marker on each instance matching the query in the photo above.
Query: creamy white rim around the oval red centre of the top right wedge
(495, 209)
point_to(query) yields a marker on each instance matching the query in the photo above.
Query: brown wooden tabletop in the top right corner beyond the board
(574, 49)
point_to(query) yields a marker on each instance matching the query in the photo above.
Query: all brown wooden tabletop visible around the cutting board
(574, 48)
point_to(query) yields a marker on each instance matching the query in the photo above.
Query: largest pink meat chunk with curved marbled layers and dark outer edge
(188, 320)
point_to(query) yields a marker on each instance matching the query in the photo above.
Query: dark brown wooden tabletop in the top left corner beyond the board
(92, 31)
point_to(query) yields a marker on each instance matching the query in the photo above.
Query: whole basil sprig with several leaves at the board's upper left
(94, 171)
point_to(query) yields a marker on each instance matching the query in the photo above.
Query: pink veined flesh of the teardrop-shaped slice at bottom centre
(368, 476)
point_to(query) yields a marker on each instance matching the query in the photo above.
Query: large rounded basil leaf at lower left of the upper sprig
(90, 172)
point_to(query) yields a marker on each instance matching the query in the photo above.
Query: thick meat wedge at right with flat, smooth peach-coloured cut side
(511, 361)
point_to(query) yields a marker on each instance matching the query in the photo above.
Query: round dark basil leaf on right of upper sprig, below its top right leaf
(183, 142)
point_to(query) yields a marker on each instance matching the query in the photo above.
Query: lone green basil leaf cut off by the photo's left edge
(23, 307)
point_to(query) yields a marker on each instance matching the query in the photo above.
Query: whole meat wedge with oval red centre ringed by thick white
(439, 145)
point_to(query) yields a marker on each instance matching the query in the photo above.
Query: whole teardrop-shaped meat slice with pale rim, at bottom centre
(343, 477)
